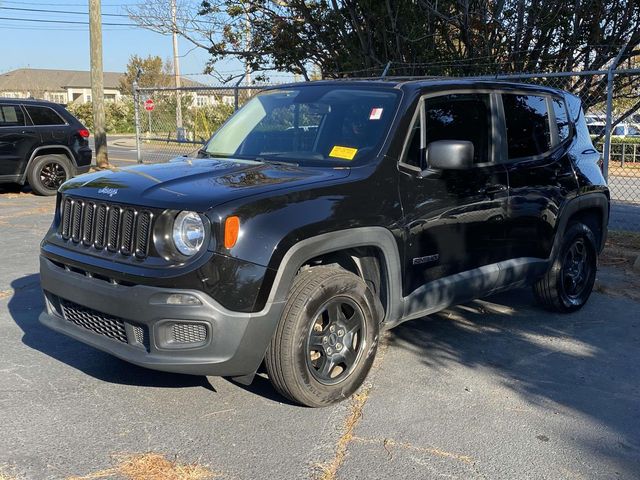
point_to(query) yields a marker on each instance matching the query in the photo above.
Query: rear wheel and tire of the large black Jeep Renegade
(567, 285)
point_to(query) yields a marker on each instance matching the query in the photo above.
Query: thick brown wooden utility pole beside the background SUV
(97, 84)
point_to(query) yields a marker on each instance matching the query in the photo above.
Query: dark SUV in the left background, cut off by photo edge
(41, 143)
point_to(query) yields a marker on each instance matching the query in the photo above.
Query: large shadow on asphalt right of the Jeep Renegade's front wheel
(584, 363)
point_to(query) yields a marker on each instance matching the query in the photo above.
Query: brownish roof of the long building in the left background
(51, 80)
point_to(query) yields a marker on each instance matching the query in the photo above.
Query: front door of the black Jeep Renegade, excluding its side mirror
(454, 219)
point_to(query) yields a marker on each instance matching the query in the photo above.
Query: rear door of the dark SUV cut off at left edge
(17, 140)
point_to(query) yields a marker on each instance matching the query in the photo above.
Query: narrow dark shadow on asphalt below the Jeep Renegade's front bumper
(25, 306)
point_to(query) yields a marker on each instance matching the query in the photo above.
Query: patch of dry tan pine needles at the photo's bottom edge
(151, 466)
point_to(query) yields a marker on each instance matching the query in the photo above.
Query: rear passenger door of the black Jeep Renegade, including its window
(538, 134)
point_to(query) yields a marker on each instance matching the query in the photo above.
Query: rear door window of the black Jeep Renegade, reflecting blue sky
(527, 124)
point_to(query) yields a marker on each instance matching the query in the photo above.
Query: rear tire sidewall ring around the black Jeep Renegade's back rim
(575, 231)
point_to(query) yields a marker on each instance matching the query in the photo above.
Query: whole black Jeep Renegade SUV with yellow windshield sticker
(320, 214)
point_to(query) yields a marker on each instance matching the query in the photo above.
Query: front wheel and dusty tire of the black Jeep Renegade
(330, 318)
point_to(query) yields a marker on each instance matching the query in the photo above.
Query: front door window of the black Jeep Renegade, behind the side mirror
(461, 116)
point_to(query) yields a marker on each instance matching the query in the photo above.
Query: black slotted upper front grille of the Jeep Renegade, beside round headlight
(104, 225)
